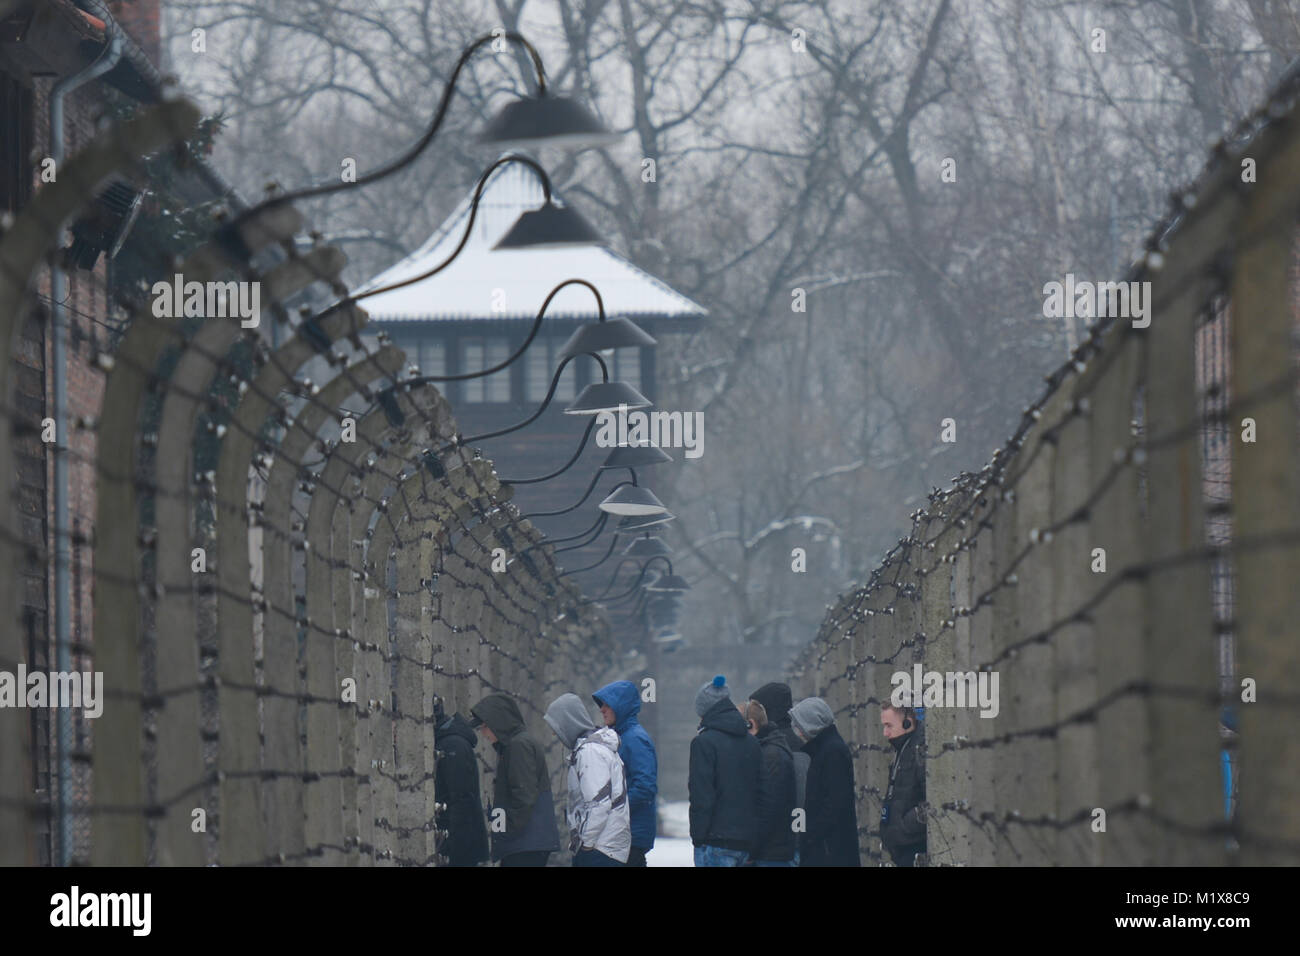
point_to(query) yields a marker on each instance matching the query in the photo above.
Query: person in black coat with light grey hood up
(831, 838)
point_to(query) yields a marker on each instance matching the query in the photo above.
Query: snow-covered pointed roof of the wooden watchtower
(513, 284)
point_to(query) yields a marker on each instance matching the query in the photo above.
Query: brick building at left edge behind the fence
(44, 42)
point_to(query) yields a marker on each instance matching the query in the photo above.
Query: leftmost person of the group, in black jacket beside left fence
(457, 788)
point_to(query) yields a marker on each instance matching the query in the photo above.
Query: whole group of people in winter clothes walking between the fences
(770, 782)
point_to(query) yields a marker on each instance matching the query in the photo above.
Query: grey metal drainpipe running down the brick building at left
(63, 559)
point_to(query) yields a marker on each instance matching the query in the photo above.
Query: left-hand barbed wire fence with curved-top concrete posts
(285, 572)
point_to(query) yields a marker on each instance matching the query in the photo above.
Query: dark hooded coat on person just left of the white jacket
(523, 786)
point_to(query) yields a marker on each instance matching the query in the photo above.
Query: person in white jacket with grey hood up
(599, 816)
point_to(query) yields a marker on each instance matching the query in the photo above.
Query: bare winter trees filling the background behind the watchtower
(868, 197)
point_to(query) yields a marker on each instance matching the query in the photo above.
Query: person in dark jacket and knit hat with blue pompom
(723, 781)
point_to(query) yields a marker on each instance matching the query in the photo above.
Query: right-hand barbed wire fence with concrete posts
(1128, 566)
